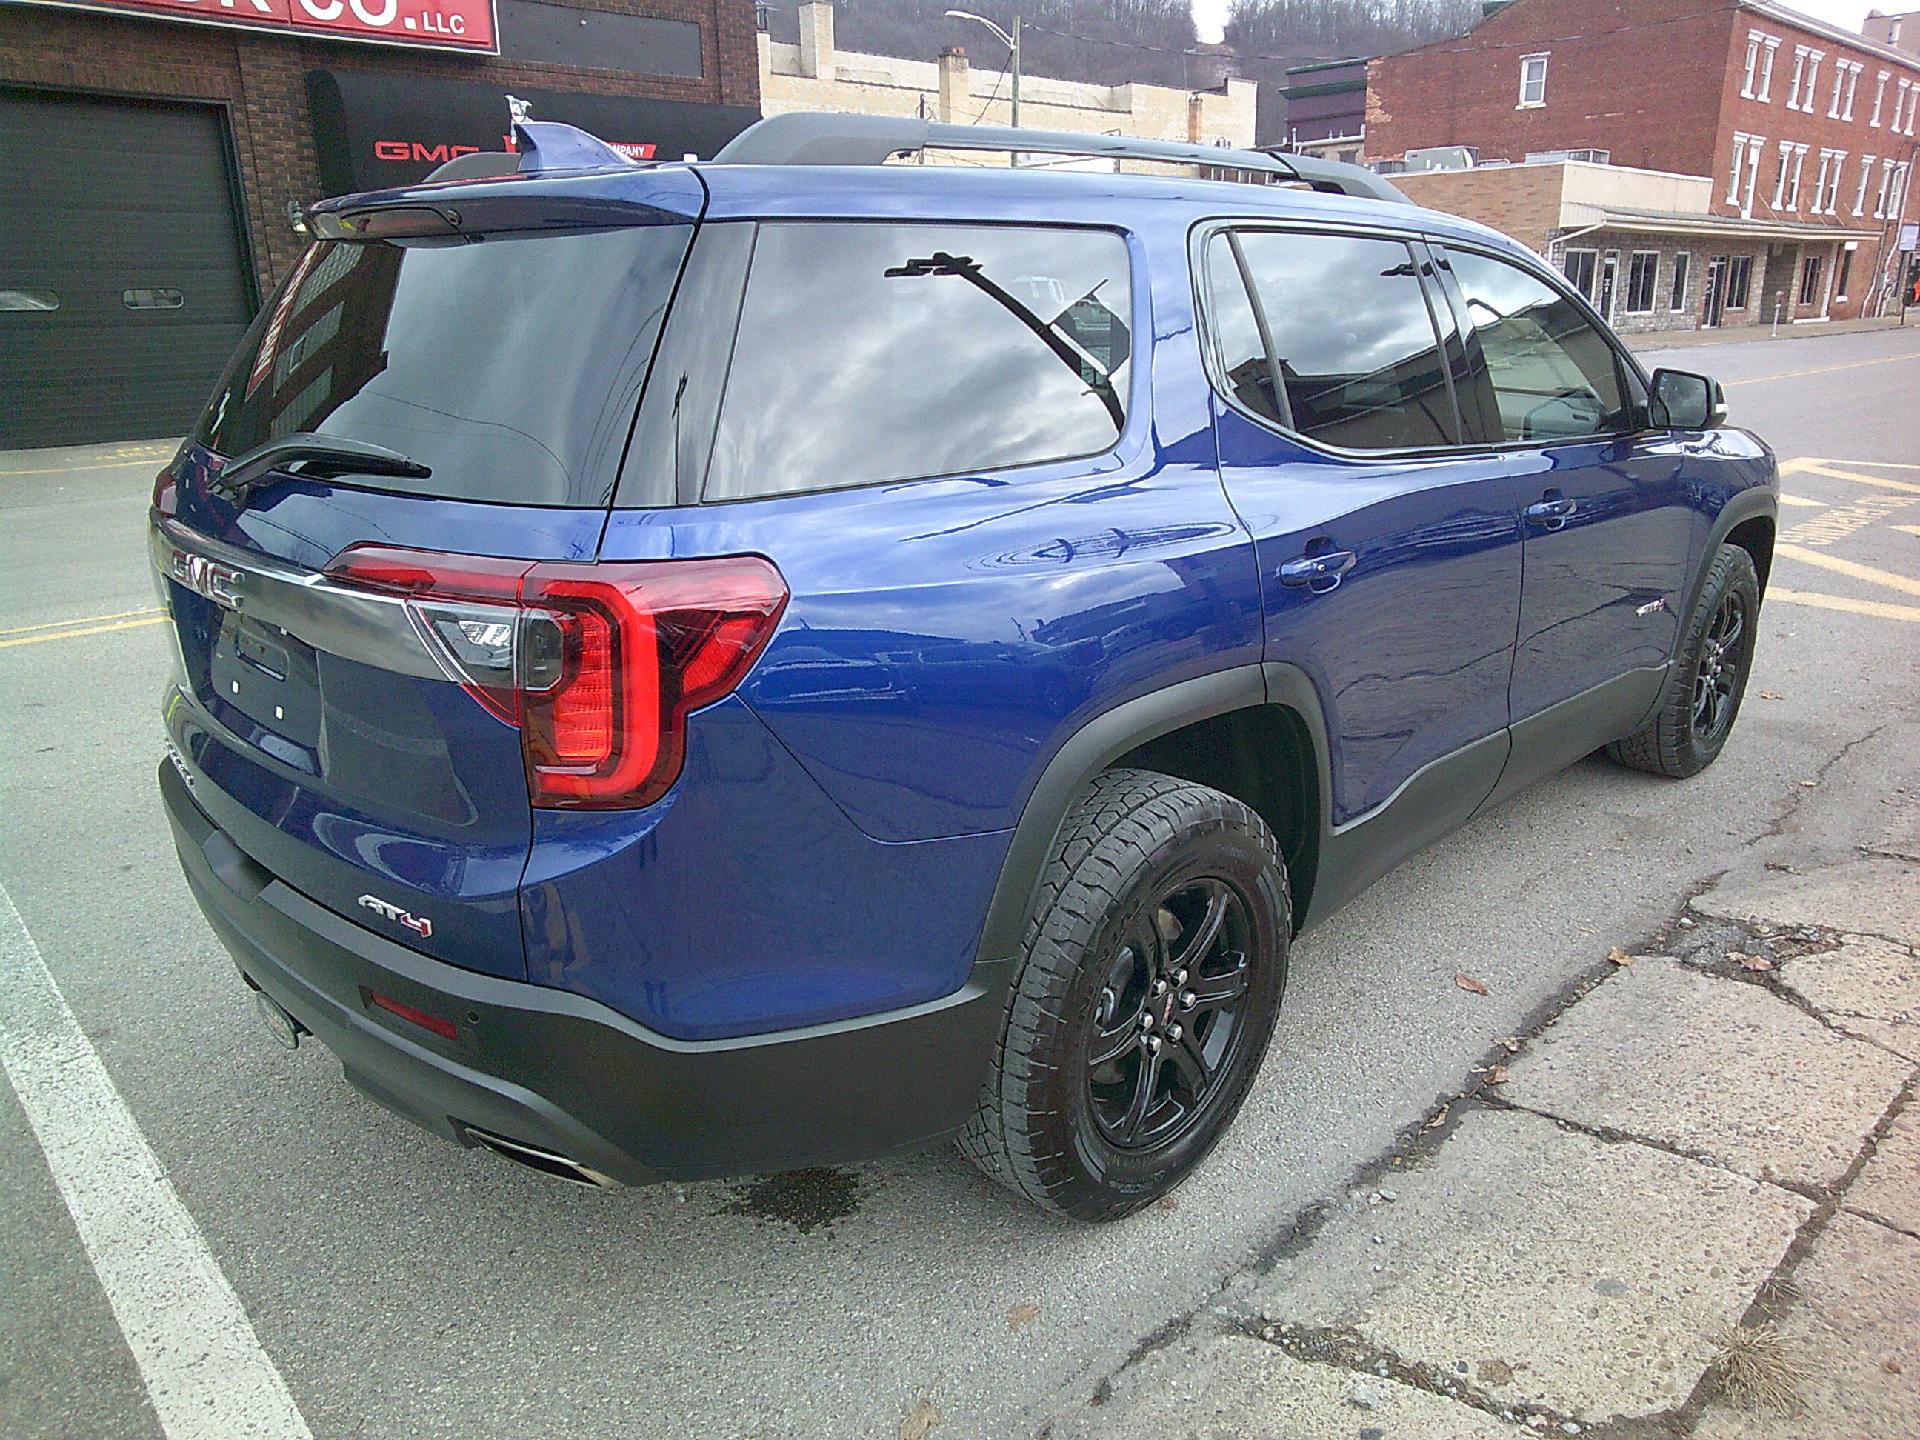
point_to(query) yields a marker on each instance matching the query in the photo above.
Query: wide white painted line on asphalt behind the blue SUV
(197, 1351)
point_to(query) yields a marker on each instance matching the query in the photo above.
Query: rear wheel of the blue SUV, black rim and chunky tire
(1138, 875)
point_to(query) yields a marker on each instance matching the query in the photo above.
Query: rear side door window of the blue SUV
(1353, 341)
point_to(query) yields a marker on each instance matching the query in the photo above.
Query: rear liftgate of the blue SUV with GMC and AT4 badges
(352, 729)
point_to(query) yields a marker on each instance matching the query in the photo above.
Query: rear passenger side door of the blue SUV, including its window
(1389, 558)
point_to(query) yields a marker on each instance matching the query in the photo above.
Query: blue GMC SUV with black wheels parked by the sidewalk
(723, 667)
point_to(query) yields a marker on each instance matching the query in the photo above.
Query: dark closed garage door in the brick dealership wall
(124, 285)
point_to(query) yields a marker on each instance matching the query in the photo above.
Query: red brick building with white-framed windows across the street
(1804, 133)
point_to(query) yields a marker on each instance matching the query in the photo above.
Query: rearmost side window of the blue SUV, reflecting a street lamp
(892, 352)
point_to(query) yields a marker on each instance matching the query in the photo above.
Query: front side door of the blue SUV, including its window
(1604, 504)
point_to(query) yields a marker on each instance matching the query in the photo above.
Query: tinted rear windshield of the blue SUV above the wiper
(510, 364)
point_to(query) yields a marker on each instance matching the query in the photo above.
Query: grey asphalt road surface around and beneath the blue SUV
(406, 1287)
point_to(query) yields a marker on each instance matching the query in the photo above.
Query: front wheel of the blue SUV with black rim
(1710, 677)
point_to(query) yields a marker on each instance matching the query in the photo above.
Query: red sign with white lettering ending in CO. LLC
(437, 24)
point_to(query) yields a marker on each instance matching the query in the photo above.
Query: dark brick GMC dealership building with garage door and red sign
(158, 153)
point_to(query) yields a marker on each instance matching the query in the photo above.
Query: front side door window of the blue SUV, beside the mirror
(1537, 364)
